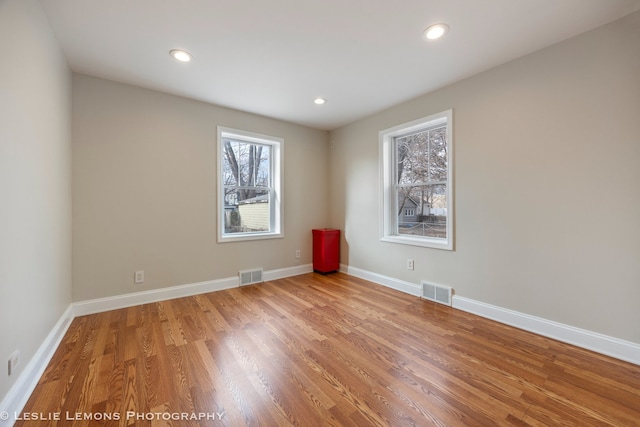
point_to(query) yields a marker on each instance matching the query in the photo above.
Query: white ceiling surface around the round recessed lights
(273, 57)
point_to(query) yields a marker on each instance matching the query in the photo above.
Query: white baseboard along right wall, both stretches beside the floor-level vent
(599, 343)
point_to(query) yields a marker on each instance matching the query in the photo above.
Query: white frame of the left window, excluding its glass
(276, 171)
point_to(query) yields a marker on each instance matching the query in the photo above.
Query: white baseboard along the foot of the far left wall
(19, 393)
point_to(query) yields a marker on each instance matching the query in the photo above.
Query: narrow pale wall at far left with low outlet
(35, 186)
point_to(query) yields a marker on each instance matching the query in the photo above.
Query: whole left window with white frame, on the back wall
(249, 186)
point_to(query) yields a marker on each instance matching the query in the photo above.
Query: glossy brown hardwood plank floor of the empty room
(322, 350)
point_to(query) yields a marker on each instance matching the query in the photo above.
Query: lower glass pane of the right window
(422, 211)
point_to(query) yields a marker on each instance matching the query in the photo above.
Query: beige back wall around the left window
(144, 187)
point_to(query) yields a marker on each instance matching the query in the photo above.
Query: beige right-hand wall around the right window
(547, 175)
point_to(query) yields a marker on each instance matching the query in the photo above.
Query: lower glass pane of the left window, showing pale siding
(247, 211)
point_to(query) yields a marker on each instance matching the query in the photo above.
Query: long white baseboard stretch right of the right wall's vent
(603, 344)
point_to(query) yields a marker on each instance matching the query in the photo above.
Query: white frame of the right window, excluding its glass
(389, 199)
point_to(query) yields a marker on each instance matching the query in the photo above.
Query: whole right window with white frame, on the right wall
(416, 164)
